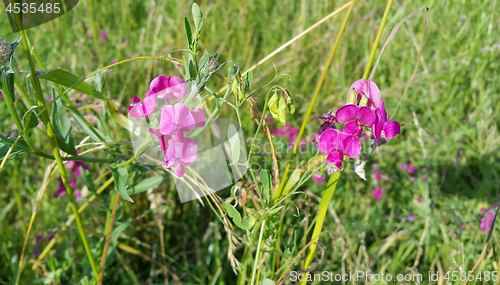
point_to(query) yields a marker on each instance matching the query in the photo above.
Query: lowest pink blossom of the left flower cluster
(180, 152)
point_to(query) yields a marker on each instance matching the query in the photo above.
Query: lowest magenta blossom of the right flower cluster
(337, 144)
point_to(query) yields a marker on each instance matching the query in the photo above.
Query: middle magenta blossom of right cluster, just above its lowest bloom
(356, 116)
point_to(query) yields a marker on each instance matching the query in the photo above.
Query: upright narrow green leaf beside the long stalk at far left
(62, 128)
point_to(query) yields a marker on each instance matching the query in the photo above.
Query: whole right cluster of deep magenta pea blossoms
(364, 108)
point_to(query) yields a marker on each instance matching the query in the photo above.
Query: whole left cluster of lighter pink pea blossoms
(175, 120)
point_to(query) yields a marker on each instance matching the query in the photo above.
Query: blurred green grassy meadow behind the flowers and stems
(438, 181)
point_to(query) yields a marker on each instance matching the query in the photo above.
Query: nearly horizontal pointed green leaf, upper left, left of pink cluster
(68, 79)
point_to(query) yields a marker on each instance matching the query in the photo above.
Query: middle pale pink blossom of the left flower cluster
(180, 117)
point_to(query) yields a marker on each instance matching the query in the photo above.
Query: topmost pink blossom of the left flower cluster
(168, 88)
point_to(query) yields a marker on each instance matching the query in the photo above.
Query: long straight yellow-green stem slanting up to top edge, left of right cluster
(280, 188)
